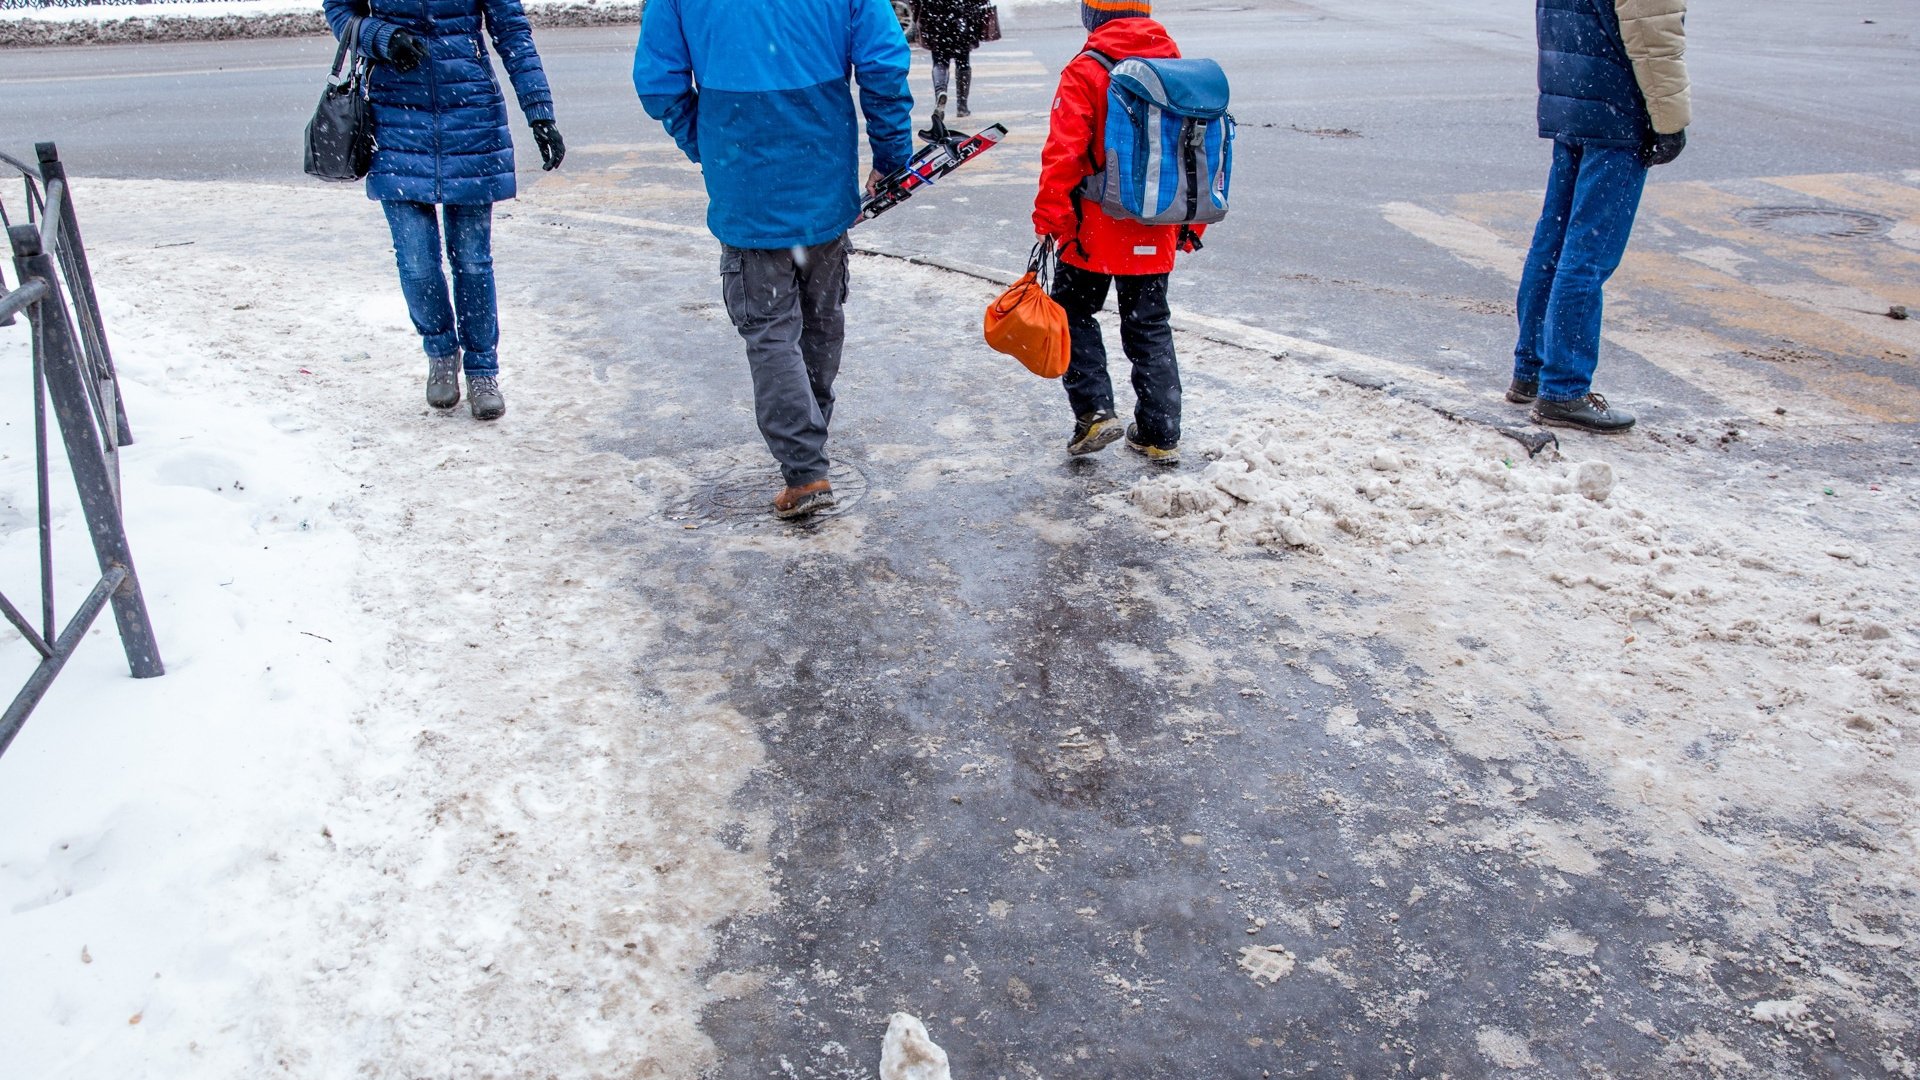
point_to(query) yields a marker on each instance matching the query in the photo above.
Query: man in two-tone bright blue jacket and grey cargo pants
(757, 93)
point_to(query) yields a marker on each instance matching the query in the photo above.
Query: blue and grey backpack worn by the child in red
(1168, 141)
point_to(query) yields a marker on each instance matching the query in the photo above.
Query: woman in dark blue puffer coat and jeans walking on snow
(441, 139)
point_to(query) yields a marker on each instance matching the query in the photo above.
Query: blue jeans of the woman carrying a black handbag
(471, 253)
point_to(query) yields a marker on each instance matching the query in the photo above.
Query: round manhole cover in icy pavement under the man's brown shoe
(736, 489)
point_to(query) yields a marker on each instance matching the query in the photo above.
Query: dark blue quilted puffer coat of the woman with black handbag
(441, 132)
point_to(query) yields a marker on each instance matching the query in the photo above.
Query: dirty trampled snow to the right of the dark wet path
(1620, 601)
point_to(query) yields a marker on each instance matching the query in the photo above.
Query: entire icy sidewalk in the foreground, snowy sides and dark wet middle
(571, 762)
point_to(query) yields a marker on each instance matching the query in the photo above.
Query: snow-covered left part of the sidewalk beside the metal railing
(396, 800)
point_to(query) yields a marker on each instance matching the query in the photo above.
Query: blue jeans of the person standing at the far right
(1593, 197)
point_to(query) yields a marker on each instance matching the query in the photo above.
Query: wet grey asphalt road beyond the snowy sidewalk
(1343, 112)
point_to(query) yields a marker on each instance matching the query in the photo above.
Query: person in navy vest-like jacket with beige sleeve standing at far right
(1616, 101)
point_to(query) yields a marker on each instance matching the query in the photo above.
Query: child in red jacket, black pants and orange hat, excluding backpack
(1099, 251)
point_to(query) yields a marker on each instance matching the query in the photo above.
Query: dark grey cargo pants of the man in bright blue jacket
(788, 305)
